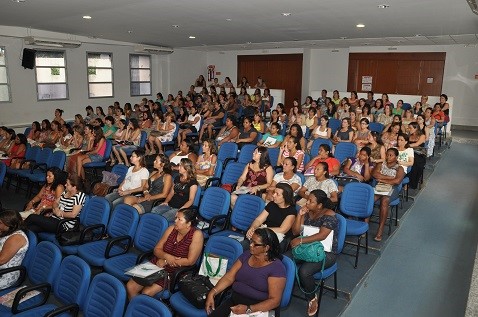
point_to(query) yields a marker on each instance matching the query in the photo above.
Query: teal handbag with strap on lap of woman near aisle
(308, 252)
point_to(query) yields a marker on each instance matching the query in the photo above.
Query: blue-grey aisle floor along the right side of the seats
(426, 268)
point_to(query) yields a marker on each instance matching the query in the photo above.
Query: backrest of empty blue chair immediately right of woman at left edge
(43, 266)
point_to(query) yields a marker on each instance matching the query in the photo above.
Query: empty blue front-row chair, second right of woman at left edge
(70, 286)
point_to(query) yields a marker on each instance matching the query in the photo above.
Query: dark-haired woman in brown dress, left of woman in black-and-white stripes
(48, 194)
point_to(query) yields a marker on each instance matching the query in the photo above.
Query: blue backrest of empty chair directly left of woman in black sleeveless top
(246, 210)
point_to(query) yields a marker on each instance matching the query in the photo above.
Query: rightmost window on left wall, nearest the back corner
(140, 74)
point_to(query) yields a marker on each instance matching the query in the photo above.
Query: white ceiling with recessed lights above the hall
(220, 25)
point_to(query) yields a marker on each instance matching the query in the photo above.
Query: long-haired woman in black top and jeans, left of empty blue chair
(183, 193)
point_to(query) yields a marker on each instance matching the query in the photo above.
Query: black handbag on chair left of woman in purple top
(195, 288)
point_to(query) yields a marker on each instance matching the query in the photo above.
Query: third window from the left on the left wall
(100, 75)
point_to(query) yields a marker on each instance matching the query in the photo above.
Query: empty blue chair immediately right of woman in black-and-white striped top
(94, 217)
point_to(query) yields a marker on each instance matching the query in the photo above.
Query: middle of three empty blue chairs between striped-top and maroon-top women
(121, 230)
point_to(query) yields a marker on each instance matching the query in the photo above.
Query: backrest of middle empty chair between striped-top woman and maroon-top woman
(123, 222)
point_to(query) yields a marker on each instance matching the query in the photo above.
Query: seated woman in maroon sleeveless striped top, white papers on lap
(181, 245)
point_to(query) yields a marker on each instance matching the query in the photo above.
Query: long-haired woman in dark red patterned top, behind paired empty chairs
(257, 175)
